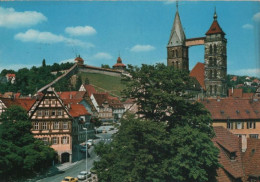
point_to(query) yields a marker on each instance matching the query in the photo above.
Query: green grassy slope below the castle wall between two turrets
(104, 83)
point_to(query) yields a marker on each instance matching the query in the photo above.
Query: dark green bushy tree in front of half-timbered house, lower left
(21, 154)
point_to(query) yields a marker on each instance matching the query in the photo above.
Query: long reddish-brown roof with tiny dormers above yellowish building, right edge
(232, 108)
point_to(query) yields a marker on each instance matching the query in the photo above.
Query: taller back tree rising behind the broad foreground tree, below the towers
(163, 94)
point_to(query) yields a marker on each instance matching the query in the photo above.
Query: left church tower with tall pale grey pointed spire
(177, 52)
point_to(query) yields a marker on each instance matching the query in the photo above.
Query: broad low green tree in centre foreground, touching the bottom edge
(144, 150)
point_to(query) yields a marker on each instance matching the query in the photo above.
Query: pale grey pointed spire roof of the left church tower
(177, 37)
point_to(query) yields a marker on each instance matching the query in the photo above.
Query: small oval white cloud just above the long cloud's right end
(79, 30)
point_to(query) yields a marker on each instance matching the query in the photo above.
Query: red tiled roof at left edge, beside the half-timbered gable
(24, 103)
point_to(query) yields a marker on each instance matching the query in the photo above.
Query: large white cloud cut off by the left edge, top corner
(10, 18)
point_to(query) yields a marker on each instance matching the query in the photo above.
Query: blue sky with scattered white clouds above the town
(138, 32)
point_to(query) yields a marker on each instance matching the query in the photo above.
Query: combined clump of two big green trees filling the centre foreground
(172, 139)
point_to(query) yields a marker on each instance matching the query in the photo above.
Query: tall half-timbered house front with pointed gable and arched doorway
(52, 123)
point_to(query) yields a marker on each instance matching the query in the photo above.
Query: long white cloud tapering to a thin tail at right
(48, 38)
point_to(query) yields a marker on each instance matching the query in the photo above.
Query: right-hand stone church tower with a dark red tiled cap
(215, 60)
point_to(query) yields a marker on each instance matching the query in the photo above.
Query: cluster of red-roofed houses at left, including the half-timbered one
(60, 118)
